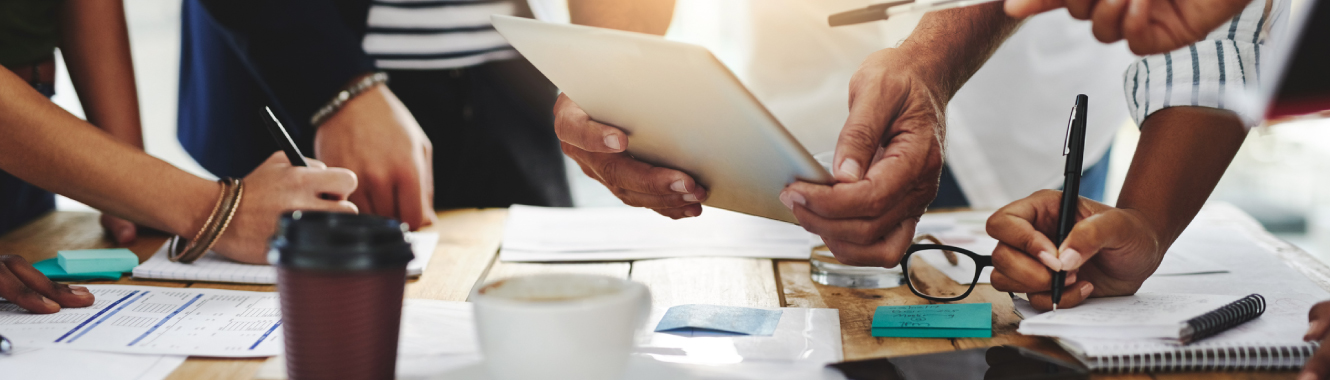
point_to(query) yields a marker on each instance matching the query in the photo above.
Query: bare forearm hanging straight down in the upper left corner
(96, 50)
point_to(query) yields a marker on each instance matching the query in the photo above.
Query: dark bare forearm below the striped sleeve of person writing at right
(1180, 159)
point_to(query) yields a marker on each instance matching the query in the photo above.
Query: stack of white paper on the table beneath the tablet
(561, 235)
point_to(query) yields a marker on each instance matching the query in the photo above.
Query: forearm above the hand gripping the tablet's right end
(949, 47)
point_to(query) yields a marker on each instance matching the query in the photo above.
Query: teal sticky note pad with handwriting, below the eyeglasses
(934, 321)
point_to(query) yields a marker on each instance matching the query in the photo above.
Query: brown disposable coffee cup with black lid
(341, 280)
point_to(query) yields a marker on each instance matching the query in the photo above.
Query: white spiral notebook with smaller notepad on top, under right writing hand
(1144, 334)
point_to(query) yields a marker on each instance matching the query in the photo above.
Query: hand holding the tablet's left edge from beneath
(600, 151)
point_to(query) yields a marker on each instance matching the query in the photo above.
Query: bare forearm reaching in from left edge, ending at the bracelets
(55, 151)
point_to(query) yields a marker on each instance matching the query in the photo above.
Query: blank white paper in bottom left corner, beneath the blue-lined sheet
(74, 365)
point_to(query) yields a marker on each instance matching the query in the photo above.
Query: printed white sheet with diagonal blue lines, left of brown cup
(135, 320)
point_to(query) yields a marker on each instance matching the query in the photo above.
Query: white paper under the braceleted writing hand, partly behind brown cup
(213, 268)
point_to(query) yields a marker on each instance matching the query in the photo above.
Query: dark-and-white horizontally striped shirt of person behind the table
(436, 34)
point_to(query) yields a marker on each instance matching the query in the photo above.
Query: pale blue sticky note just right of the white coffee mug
(708, 320)
